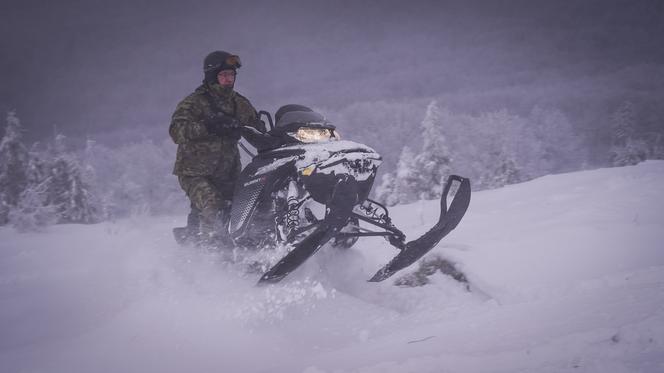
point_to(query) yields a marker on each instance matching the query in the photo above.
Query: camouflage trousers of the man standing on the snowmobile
(210, 198)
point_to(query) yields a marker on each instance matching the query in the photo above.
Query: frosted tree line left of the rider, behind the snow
(48, 183)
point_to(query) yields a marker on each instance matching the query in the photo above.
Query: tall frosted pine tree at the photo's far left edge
(13, 166)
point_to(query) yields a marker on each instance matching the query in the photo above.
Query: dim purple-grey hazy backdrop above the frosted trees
(89, 67)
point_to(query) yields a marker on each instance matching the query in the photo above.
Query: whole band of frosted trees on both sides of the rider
(48, 183)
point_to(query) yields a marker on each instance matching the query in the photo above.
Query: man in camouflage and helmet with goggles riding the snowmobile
(206, 126)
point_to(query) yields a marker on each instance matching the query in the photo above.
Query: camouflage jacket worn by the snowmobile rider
(199, 152)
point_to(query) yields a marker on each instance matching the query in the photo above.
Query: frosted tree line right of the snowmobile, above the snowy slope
(498, 148)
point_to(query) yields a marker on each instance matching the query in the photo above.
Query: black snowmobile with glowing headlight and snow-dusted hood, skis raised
(307, 188)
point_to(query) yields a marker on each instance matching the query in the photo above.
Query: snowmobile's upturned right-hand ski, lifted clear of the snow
(449, 219)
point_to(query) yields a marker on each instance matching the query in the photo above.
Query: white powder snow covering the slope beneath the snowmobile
(567, 275)
